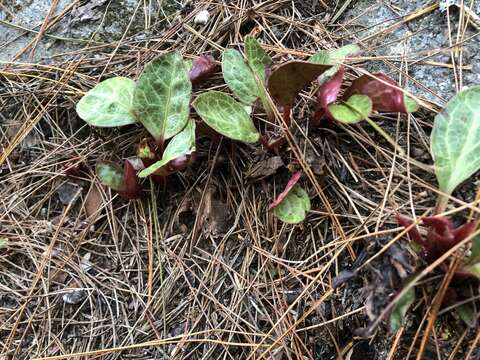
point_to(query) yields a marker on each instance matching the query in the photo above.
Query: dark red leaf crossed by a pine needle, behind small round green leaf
(384, 92)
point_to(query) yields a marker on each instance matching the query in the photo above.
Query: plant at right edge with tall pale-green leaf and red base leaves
(455, 148)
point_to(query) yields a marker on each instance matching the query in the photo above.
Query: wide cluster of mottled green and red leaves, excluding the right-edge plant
(161, 100)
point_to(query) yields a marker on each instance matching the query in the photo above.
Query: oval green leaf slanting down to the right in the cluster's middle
(226, 116)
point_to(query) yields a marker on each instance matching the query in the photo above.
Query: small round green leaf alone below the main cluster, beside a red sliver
(294, 207)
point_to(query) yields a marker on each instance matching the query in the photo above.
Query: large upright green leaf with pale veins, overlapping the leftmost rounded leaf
(161, 101)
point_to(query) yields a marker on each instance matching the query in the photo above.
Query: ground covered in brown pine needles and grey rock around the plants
(200, 269)
